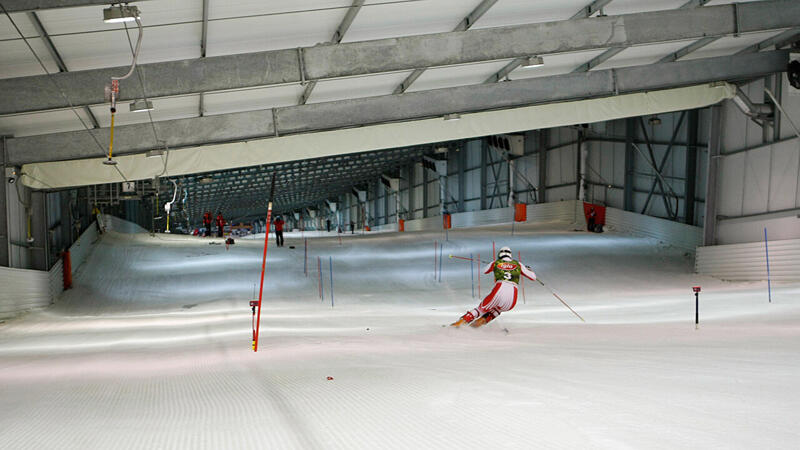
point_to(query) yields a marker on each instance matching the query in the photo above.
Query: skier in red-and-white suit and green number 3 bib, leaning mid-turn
(504, 294)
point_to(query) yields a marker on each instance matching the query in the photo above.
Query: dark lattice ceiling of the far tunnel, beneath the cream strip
(243, 192)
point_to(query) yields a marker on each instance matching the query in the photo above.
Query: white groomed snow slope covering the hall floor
(151, 349)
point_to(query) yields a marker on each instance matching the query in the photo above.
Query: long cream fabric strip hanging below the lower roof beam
(208, 158)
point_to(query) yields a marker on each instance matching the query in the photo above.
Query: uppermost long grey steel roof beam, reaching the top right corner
(386, 55)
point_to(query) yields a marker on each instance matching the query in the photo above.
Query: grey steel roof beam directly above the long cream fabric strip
(391, 108)
